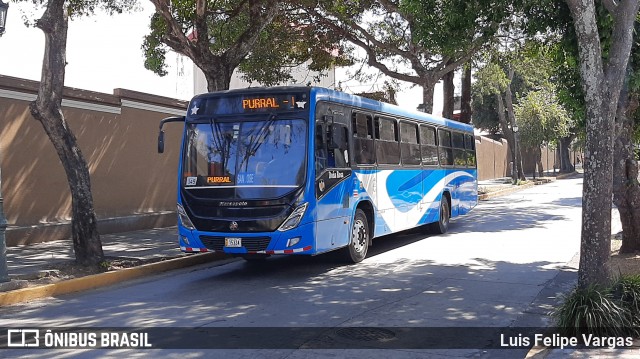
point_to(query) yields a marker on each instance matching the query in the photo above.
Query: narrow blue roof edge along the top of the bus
(324, 94)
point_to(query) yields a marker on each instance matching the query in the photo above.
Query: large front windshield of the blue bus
(245, 159)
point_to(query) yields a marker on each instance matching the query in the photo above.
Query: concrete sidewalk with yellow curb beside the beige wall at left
(32, 268)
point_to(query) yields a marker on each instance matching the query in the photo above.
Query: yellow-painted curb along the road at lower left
(103, 279)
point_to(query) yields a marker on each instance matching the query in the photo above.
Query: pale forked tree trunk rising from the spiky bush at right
(602, 85)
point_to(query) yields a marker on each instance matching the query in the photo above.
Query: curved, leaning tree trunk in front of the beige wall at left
(47, 109)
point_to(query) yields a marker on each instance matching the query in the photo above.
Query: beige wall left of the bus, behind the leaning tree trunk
(133, 186)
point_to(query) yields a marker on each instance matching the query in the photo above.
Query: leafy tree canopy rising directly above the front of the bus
(265, 40)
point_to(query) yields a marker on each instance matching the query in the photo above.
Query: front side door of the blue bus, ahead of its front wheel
(333, 177)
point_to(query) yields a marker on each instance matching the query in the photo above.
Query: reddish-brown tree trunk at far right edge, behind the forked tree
(626, 189)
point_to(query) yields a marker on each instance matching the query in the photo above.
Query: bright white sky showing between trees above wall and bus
(104, 53)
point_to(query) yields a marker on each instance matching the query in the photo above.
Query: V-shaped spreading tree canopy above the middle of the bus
(413, 41)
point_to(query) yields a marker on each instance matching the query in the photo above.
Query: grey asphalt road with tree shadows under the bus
(500, 266)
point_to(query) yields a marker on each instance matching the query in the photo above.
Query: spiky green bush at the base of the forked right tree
(594, 310)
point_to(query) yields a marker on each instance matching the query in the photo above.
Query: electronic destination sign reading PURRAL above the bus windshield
(248, 103)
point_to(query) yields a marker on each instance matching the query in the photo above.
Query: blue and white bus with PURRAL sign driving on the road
(308, 170)
